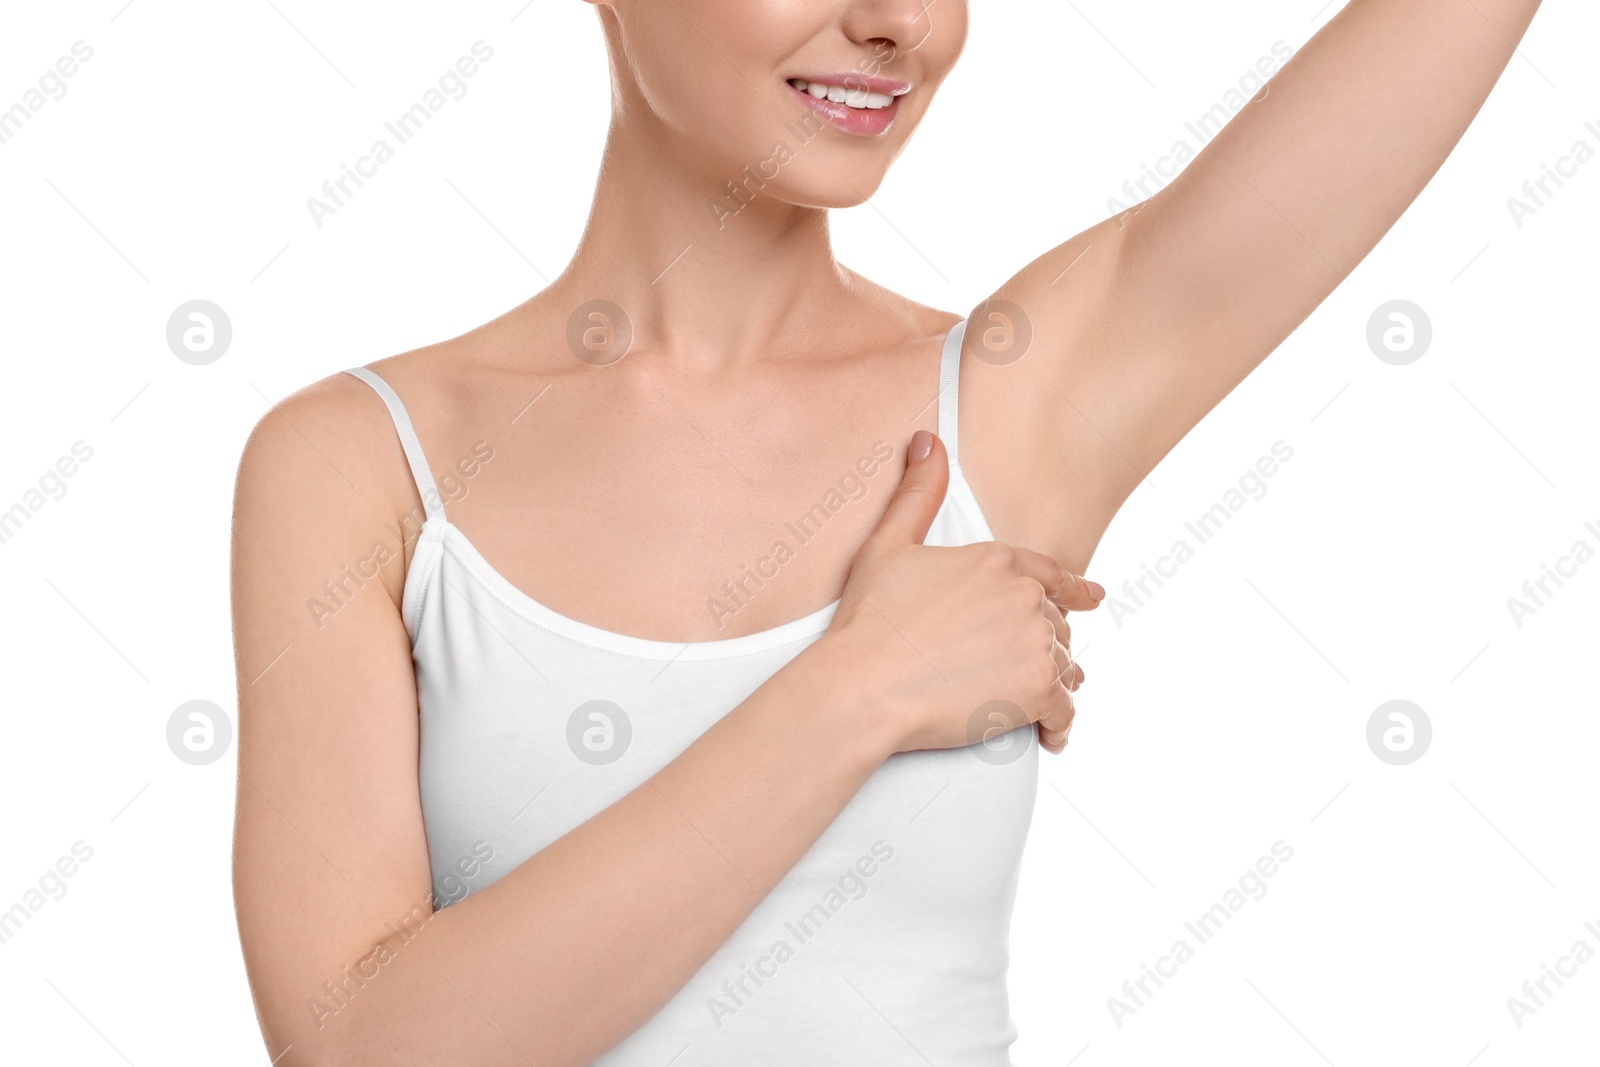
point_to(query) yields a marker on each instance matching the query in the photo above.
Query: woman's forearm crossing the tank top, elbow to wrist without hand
(585, 941)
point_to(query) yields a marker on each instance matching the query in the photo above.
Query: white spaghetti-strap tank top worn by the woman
(889, 940)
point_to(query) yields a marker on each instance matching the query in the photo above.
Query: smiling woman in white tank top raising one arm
(638, 679)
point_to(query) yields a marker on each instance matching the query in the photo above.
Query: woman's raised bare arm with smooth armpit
(1166, 308)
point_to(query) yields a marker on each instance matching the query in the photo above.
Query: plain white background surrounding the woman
(1226, 714)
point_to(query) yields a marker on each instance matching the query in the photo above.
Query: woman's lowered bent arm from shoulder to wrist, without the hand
(580, 945)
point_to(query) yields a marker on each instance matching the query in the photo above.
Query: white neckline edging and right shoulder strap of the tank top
(513, 597)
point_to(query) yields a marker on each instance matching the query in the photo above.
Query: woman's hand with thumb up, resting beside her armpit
(966, 642)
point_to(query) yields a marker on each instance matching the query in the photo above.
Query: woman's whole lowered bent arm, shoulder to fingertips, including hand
(577, 948)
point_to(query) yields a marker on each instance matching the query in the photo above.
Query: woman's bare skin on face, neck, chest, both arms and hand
(759, 370)
